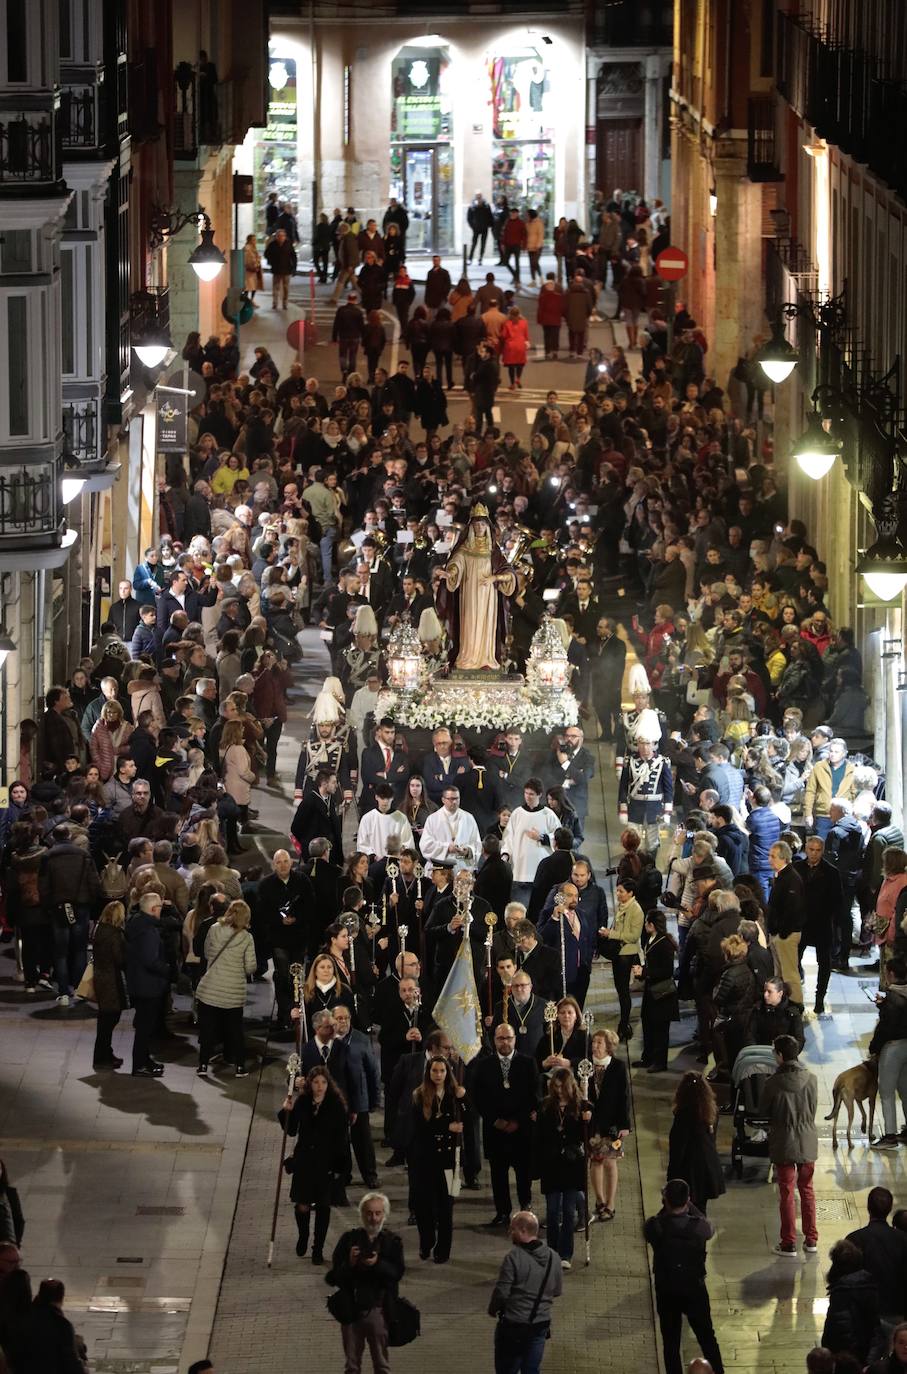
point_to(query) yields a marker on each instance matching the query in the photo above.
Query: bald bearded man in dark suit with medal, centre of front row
(506, 1089)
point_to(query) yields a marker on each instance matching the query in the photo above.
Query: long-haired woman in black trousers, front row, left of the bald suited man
(436, 1131)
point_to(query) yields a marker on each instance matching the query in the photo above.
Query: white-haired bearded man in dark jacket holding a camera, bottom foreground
(366, 1268)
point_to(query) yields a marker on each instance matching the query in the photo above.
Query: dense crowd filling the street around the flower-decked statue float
(752, 822)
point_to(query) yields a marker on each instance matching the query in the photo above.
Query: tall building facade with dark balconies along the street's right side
(788, 189)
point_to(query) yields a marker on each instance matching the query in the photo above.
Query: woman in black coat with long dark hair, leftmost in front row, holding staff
(318, 1120)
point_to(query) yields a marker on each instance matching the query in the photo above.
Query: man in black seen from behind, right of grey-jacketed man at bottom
(678, 1237)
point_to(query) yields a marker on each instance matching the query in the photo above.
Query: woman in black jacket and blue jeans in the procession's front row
(561, 1159)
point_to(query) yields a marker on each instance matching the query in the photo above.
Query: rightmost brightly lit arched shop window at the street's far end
(523, 130)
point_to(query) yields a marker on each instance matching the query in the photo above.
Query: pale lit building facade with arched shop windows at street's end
(427, 109)
